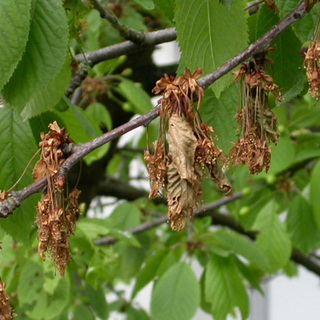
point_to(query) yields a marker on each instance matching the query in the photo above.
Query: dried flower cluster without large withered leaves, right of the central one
(258, 124)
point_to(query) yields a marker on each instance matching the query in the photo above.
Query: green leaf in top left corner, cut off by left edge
(15, 24)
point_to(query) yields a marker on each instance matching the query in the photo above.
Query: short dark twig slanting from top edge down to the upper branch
(125, 32)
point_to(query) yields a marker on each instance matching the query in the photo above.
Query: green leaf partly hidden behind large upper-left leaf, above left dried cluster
(45, 99)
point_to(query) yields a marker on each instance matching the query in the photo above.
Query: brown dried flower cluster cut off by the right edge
(312, 63)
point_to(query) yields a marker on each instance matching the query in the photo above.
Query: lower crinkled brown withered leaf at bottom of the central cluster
(182, 198)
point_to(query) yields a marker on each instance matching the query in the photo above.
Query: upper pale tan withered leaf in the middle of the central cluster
(182, 147)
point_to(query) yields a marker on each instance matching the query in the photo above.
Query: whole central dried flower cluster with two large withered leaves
(184, 150)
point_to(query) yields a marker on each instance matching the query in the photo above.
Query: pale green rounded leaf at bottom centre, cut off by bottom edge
(176, 295)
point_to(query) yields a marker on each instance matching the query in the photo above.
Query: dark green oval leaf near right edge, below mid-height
(301, 225)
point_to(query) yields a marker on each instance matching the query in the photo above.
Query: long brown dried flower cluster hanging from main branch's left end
(56, 214)
